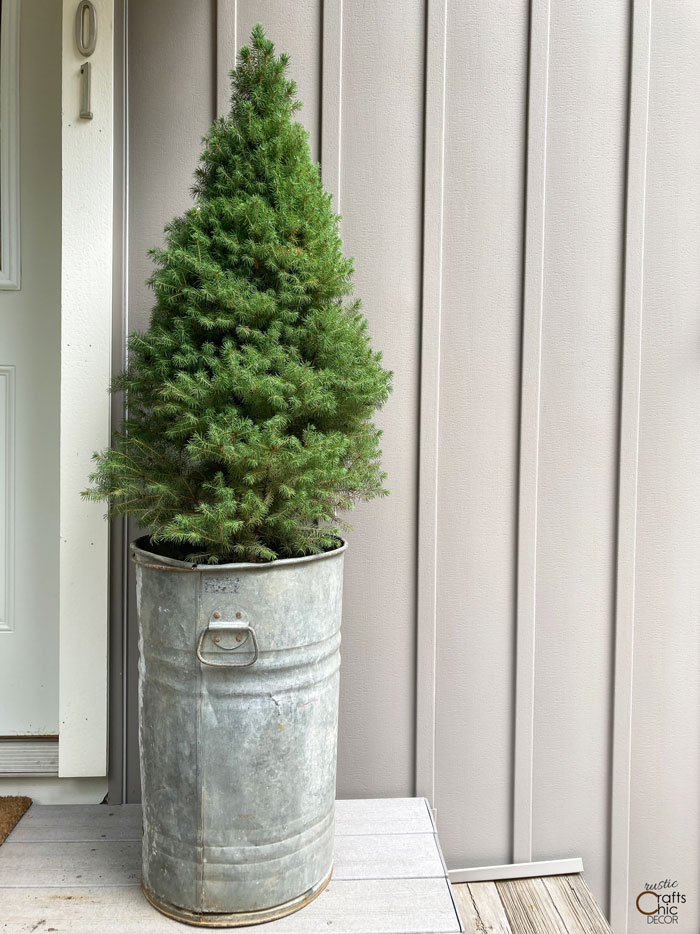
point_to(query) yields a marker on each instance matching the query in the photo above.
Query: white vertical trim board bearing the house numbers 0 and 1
(86, 331)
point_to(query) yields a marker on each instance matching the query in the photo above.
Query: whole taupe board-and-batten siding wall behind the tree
(540, 570)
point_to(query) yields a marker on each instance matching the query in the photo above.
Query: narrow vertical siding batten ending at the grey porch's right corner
(433, 204)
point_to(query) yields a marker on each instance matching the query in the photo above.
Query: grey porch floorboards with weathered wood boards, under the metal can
(73, 869)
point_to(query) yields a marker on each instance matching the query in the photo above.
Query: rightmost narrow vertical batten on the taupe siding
(628, 465)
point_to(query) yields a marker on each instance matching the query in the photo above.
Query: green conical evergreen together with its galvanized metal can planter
(250, 399)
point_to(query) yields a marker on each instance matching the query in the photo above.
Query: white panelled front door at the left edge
(30, 326)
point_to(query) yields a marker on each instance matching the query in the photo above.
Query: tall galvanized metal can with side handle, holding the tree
(238, 715)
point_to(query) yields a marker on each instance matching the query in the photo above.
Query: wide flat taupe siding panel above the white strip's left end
(479, 393)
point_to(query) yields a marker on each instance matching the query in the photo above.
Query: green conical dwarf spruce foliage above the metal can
(251, 394)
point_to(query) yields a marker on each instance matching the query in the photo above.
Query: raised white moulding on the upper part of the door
(9, 146)
